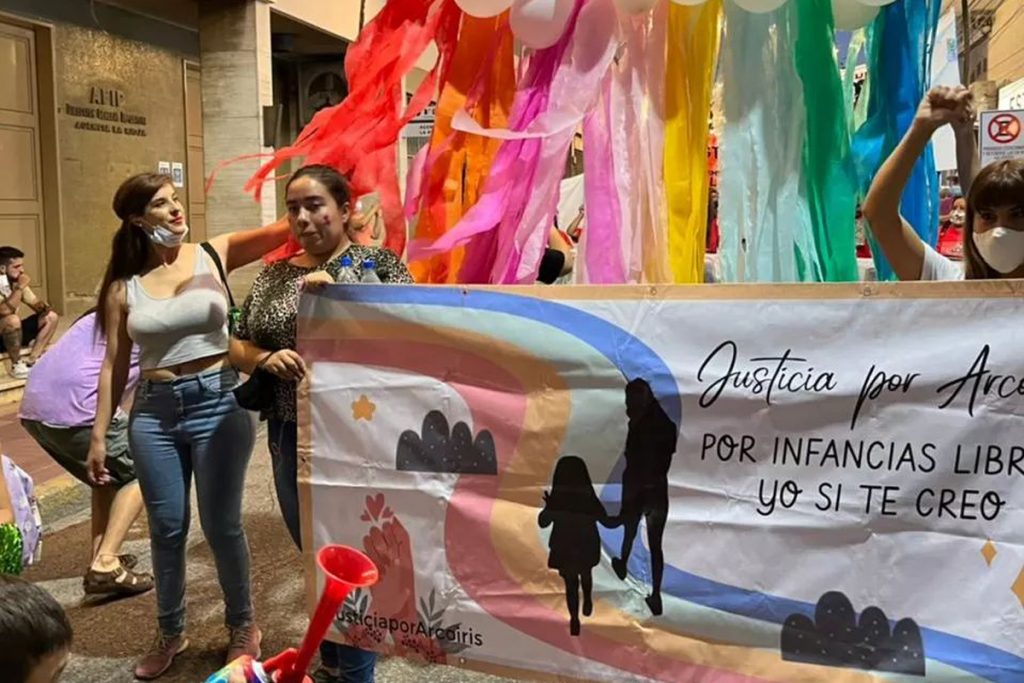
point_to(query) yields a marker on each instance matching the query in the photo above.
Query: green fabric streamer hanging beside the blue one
(830, 175)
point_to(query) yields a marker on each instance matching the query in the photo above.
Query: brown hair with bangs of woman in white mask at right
(998, 186)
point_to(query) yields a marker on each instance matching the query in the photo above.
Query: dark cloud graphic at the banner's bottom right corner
(836, 638)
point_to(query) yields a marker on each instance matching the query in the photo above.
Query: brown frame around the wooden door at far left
(50, 150)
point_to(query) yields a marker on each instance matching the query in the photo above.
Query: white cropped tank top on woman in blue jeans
(187, 327)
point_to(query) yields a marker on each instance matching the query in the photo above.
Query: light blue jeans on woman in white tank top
(194, 425)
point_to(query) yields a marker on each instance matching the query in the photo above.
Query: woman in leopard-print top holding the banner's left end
(319, 201)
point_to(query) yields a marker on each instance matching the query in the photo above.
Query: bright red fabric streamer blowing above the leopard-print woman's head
(359, 137)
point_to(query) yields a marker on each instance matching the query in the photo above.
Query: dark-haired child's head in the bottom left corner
(35, 633)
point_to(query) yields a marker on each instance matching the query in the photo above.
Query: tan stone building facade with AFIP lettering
(93, 93)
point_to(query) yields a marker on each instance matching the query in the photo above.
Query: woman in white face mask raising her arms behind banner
(994, 226)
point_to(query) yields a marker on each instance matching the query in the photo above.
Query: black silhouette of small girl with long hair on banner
(576, 546)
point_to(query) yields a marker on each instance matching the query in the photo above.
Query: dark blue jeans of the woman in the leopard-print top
(357, 666)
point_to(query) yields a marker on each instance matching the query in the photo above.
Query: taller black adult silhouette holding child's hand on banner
(650, 447)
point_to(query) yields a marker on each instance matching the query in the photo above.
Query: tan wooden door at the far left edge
(21, 170)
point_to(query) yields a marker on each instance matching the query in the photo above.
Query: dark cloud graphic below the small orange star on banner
(439, 450)
